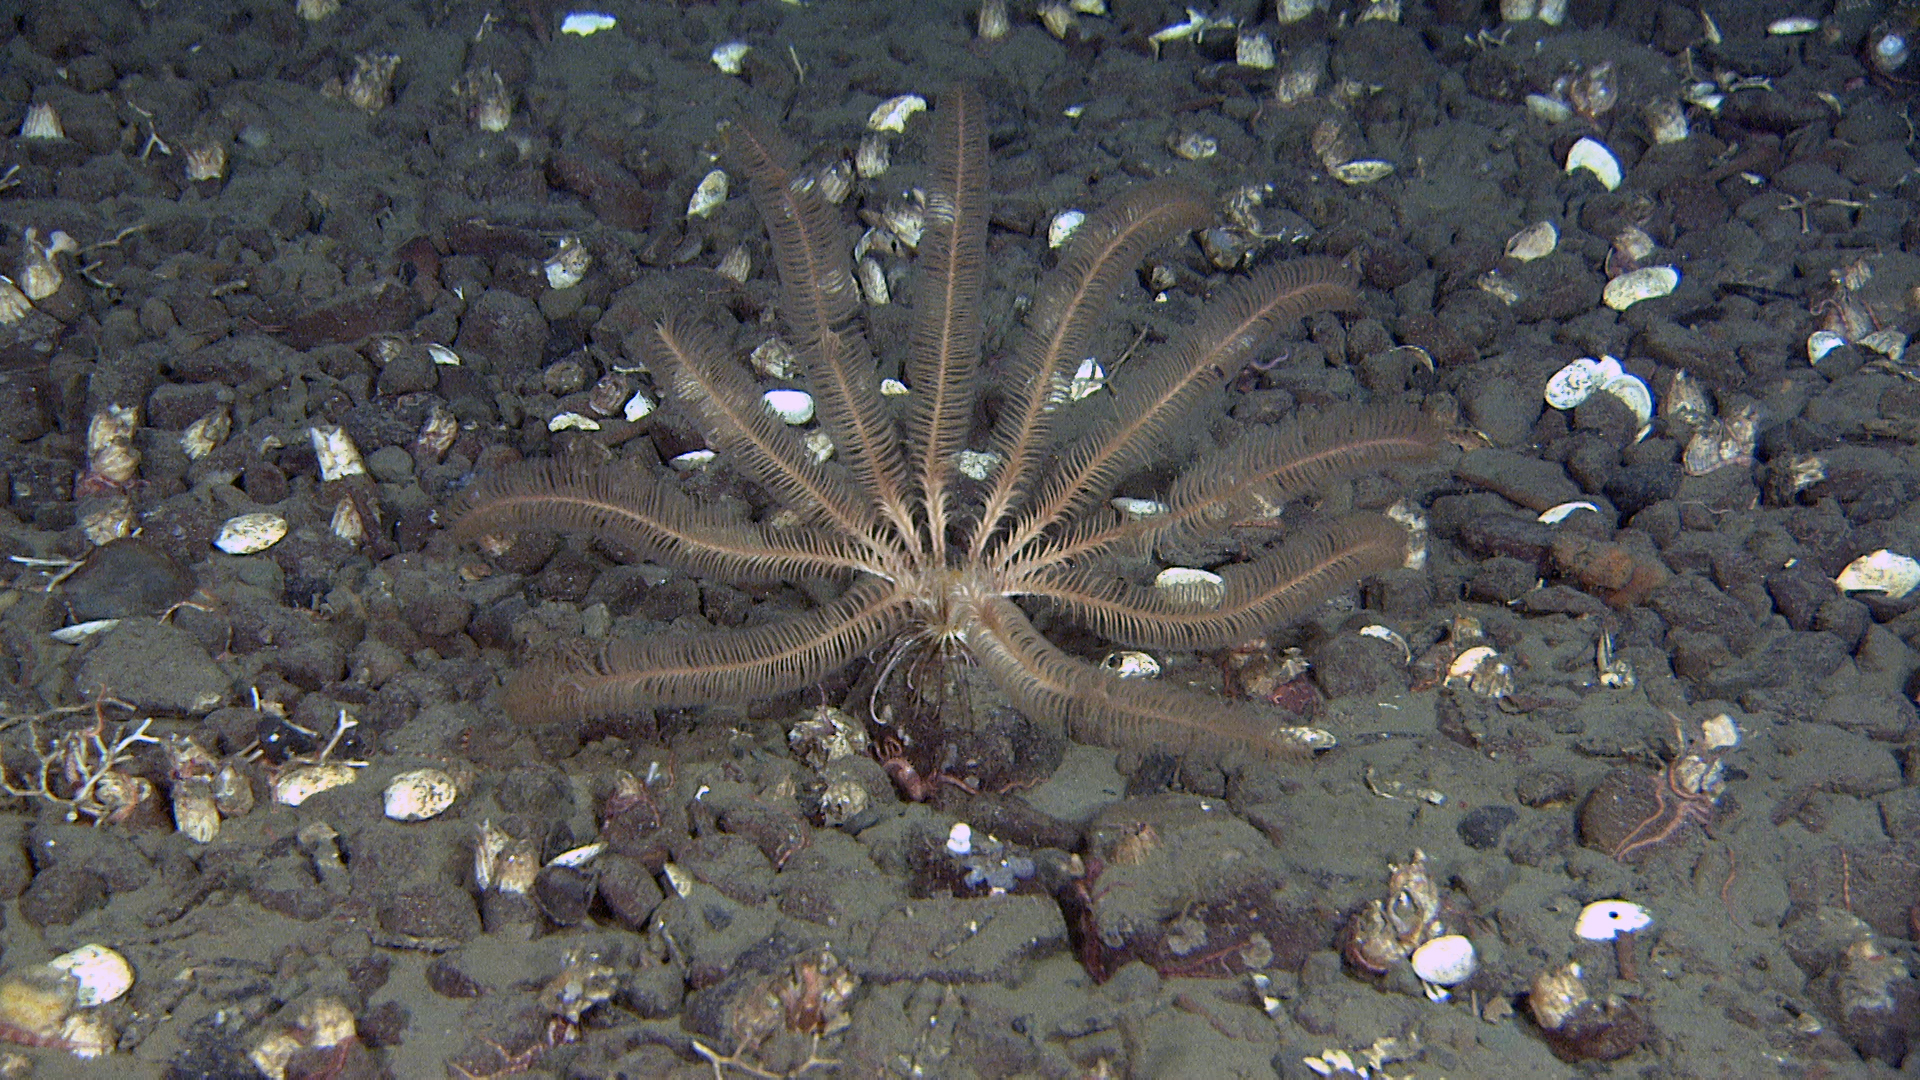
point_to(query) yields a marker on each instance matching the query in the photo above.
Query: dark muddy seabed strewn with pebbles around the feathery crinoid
(268, 241)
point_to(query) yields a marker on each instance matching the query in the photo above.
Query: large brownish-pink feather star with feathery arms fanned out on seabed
(928, 564)
